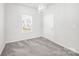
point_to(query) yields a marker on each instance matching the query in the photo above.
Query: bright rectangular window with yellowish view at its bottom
(26, 23)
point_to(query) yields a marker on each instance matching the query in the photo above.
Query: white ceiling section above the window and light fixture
(35, 5)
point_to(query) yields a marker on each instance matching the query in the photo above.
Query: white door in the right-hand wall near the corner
(48, 20)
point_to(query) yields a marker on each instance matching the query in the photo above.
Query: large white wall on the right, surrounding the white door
(66, 25)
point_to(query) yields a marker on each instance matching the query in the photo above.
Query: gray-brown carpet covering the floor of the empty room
(36, 47)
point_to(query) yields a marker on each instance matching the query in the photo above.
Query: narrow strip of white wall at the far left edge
(2, 38)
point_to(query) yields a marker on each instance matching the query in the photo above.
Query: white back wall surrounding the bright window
(13, 23)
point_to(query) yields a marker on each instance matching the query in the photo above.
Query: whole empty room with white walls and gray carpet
(39, 29)
